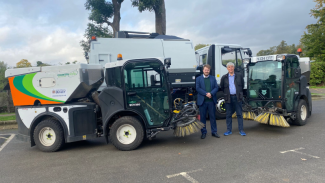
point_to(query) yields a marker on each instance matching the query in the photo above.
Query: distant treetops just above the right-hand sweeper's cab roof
(283, 47)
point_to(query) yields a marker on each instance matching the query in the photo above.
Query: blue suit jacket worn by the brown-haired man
(200, 88)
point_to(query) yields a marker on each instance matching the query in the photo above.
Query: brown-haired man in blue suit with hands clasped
(207, 87)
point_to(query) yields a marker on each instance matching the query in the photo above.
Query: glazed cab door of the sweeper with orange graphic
(147, 91)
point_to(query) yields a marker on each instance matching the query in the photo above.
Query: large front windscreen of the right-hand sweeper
(264, 80)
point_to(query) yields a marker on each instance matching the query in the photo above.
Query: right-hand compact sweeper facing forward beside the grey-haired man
(277, 91)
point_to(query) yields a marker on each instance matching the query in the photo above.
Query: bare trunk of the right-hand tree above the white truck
(160, 13)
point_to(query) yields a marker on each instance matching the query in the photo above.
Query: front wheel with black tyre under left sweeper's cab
(126, 133)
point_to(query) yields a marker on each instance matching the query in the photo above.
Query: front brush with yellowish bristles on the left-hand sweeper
(186, 122)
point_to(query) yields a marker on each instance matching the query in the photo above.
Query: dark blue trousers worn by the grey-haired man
(230, 109)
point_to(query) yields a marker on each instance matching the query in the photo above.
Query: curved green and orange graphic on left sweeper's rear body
(24, 93)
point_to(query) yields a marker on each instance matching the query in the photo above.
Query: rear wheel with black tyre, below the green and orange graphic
(48, 135)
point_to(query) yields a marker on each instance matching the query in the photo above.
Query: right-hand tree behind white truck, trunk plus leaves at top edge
(158, 6)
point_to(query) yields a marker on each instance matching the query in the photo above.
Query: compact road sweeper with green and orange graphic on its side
(60, 104)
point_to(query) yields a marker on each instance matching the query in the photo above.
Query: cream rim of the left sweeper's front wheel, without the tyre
(126, 134)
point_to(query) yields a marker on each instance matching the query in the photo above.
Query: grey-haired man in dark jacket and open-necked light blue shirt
(232, 86)
